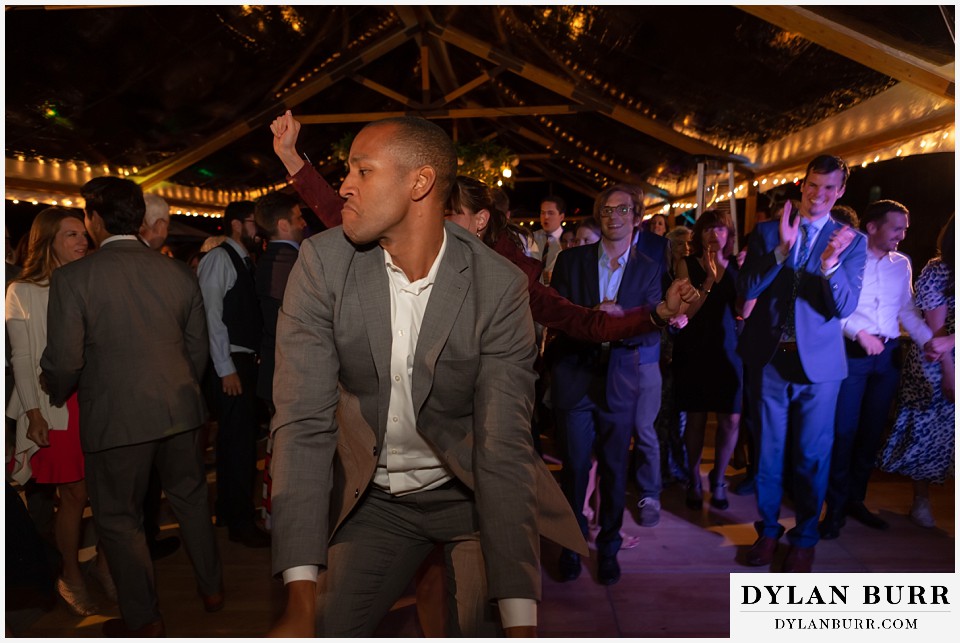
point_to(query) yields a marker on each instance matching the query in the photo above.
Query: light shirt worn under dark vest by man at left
(216, 275)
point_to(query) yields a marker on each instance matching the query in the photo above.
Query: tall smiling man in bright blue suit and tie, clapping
(805, 272)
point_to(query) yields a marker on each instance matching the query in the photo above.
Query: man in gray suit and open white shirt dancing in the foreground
(403, 389)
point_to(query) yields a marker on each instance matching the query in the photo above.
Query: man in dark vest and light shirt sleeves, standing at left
(235, 325)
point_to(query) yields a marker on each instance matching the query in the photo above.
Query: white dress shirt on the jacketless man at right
(886, 301)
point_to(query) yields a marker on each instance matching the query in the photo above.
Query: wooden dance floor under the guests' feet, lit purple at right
(675, 580)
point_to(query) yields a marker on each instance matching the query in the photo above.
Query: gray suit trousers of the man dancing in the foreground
(376, 552)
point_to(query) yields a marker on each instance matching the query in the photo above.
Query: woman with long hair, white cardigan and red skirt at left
(48, 437)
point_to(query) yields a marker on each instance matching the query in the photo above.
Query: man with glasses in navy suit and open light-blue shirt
(606, 393)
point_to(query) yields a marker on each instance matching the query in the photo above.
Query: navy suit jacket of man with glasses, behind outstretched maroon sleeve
(577, 366)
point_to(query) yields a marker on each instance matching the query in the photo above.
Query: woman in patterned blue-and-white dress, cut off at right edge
(921, 443)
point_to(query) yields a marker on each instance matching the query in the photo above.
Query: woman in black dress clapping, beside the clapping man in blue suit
(707, 370)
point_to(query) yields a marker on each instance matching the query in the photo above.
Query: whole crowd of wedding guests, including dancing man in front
(408, 358)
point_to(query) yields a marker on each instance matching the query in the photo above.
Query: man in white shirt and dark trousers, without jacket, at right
(872, 340)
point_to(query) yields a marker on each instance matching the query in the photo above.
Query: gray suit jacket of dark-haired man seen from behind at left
(126, 325)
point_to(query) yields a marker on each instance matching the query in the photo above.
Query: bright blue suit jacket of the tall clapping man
(821, 301)
